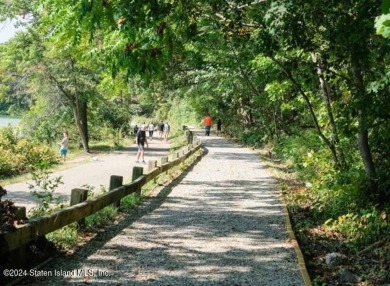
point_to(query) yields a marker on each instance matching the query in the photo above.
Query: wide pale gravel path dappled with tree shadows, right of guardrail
(222, 223)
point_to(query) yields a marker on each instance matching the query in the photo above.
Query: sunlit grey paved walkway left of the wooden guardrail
(94, 172)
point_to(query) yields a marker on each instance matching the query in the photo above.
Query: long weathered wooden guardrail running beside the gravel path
(36, 228)
